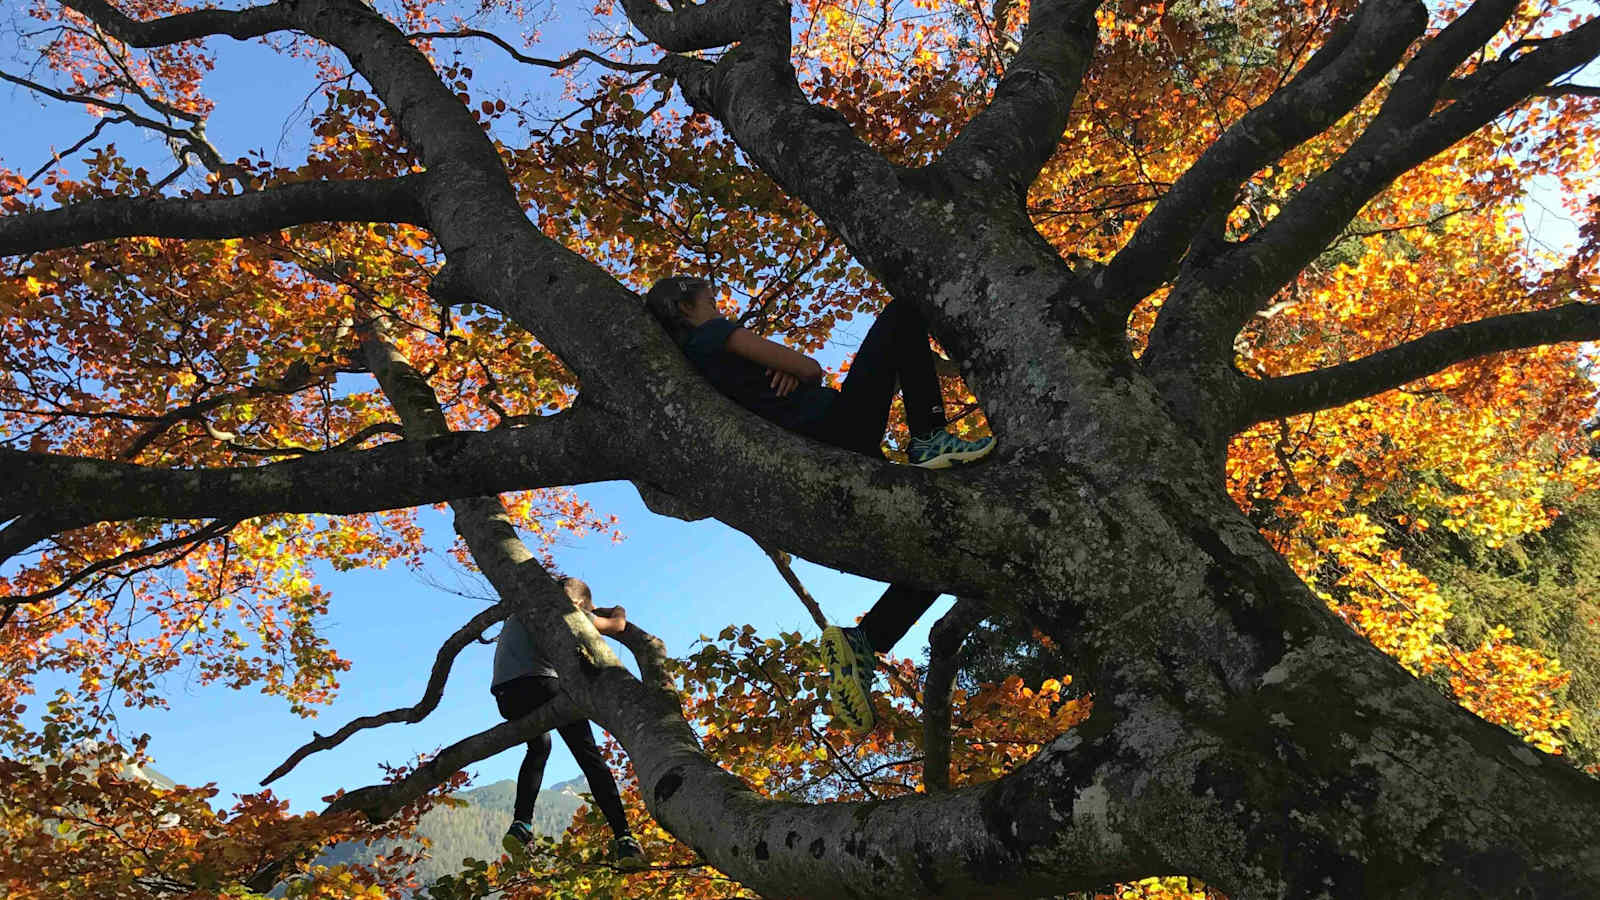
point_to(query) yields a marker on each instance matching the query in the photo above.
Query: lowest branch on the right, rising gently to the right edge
(1385, 371)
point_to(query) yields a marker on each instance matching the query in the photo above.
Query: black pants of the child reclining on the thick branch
(895, 350)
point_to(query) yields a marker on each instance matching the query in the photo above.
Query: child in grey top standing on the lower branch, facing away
(524, 681)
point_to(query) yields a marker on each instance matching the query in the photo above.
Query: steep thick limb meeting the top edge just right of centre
(1012, 139)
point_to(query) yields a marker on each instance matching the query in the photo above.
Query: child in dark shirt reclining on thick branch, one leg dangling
(786, 388)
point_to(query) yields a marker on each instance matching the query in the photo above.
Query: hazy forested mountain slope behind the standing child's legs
(473, 830)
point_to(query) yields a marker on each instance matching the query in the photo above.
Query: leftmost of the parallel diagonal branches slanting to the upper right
(1337, 78)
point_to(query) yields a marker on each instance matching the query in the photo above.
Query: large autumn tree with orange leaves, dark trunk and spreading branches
(1244, 291)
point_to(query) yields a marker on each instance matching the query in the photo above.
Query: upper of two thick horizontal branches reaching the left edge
(218, 217)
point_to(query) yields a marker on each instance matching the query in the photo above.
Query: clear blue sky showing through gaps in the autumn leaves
(679, 581)
